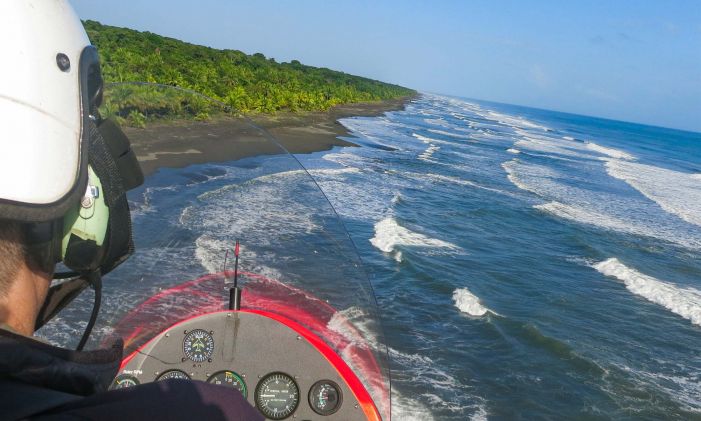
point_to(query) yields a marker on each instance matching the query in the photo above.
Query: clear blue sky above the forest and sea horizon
(636, 61)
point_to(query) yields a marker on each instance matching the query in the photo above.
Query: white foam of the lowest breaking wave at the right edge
(685, 302)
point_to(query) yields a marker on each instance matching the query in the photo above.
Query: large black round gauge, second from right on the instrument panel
(277, 396)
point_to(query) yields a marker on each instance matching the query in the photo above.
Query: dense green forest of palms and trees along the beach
(237, 81)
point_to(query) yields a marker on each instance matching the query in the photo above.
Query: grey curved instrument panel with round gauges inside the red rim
(274, 368)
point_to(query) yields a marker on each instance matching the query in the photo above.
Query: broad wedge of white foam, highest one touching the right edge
(676, 192)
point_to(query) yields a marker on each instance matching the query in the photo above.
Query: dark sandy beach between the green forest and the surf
(180, 144)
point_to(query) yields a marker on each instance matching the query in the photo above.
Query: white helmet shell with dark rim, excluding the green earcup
(45, 94)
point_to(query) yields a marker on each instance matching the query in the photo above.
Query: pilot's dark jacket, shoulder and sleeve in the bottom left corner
(41, 381)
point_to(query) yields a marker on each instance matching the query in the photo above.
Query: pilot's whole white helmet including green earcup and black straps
(64, 171)
